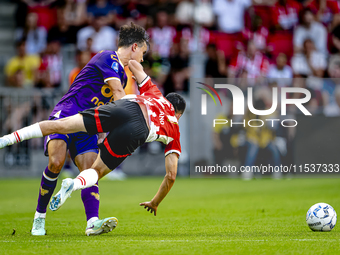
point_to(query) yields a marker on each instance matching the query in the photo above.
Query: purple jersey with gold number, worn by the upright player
(90, 88)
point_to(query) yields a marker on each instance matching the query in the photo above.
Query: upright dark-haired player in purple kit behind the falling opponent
(103, 79)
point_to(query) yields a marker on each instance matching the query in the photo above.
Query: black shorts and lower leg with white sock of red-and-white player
(120, 143)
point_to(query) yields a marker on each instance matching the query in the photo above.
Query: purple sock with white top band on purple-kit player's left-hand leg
(48, 184)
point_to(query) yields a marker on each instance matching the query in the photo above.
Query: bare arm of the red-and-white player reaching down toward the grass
(171, 162)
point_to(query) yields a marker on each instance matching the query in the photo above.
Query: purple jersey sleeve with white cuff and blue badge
(108, 65)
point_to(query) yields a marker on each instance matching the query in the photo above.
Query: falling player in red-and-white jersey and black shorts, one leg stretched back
(130, 121)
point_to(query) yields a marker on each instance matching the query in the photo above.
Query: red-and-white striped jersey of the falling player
(162, 120)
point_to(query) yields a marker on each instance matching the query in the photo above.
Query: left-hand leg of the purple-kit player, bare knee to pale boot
(57, 153)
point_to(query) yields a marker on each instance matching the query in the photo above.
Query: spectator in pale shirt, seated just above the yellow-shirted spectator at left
(34, 35)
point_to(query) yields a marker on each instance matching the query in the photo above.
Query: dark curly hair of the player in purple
(130, 34)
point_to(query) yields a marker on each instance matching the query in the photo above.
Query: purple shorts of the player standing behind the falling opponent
(77, 143)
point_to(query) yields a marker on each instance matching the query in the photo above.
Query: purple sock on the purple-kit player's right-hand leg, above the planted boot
(90, 197)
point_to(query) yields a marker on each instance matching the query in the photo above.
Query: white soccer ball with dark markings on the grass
(321, 217)
